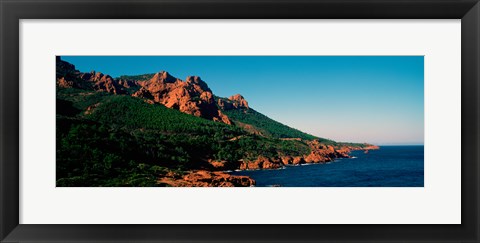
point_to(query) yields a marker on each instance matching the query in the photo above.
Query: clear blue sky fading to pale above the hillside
(375, 99)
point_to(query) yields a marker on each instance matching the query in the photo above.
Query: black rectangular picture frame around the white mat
(12, 11)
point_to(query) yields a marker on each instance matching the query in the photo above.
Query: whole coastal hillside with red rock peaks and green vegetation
(158, 130)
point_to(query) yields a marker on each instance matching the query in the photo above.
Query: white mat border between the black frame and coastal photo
(436, 203)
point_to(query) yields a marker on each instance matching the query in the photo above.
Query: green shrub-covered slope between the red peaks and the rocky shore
(117, 140)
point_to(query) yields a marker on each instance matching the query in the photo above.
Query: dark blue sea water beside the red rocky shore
(390, 166)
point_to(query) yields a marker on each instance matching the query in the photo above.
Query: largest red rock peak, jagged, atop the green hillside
(192, 96)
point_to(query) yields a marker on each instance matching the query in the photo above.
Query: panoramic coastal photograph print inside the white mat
(239, 121)
